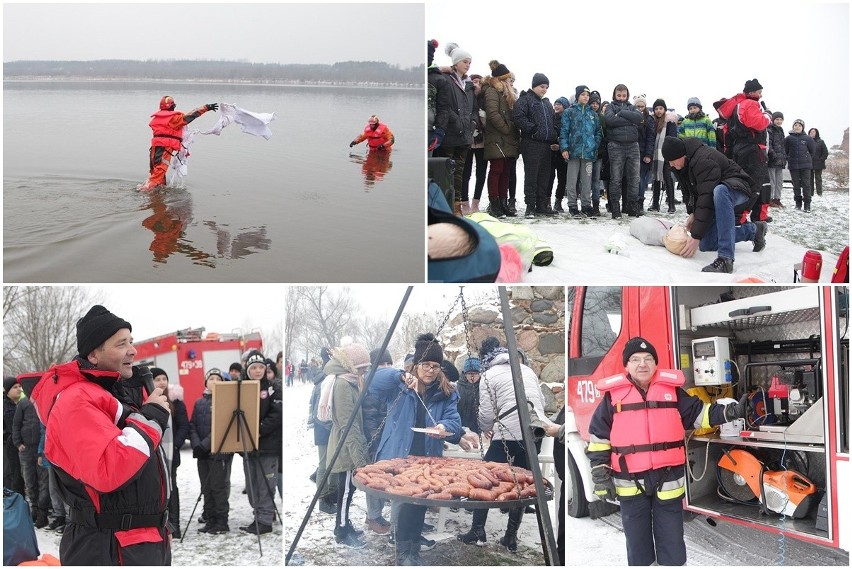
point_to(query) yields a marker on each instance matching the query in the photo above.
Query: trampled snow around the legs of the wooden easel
(235, 548)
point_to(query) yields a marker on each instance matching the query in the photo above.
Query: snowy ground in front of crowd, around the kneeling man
(580, 255)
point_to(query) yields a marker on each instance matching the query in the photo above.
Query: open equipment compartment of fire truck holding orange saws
(777, 355)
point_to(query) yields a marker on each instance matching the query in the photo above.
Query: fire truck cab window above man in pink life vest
(601, 320)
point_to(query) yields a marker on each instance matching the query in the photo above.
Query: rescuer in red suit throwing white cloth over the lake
(167, 124)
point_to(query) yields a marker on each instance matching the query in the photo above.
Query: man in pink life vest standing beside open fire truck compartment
(636, 450)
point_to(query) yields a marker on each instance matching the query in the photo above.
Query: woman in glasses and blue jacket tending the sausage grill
(422, 398)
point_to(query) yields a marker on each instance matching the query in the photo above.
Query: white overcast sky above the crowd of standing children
(798, 50)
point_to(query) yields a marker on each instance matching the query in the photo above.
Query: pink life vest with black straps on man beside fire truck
(647, 432)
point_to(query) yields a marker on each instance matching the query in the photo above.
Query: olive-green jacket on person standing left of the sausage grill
(354, 453)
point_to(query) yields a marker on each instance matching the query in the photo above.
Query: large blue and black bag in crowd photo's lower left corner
(480, 266)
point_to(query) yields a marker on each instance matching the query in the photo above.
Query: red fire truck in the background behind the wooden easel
(187, 354)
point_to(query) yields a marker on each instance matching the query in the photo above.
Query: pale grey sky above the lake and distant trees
(259, 33)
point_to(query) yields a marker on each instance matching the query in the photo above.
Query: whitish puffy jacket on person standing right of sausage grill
(497, 398)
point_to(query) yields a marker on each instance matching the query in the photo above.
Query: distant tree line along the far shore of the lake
(346, 72)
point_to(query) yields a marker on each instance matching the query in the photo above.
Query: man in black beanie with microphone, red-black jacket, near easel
(105, 438)
